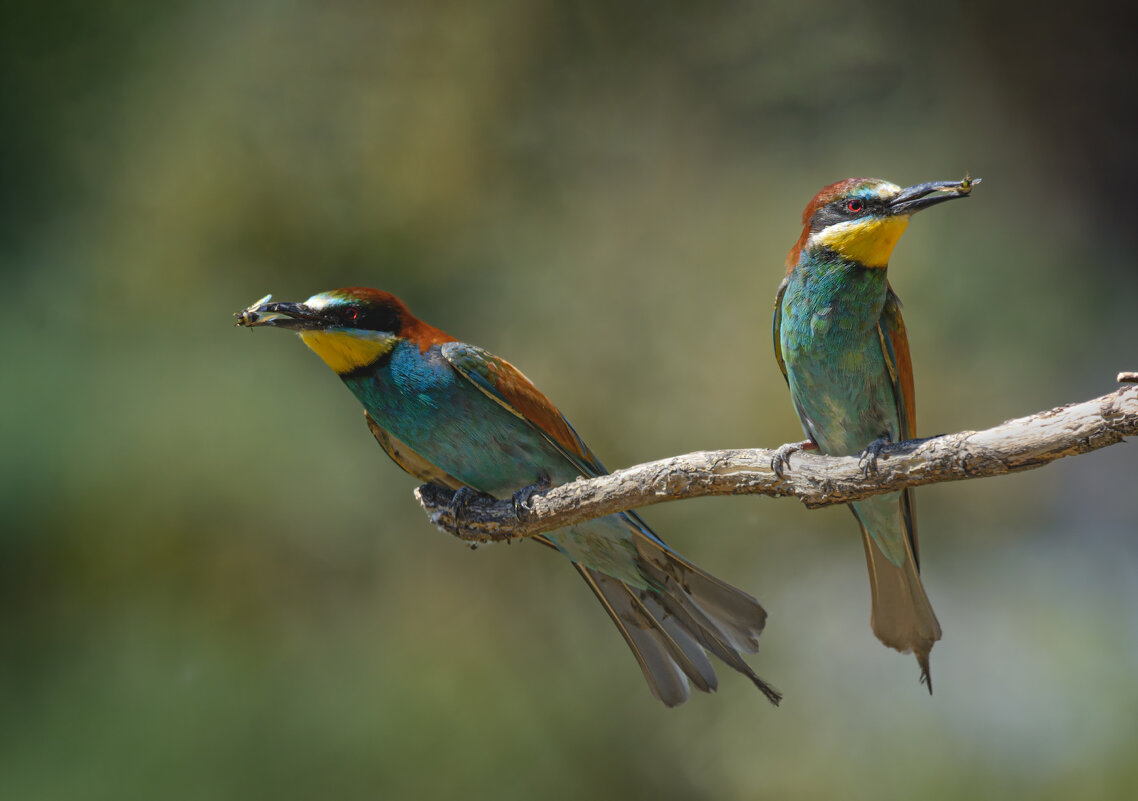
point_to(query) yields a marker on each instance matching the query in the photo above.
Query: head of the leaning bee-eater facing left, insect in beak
(351, 329)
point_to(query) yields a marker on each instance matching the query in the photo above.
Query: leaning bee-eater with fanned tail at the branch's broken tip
(453, 415)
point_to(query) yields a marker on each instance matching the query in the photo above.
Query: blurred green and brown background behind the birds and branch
(216, 587)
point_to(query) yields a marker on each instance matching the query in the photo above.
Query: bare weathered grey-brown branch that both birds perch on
(817, 481)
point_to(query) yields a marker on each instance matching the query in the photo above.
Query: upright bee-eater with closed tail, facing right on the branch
(842, 345)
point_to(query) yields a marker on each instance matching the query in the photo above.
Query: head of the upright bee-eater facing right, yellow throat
(861, 219)
